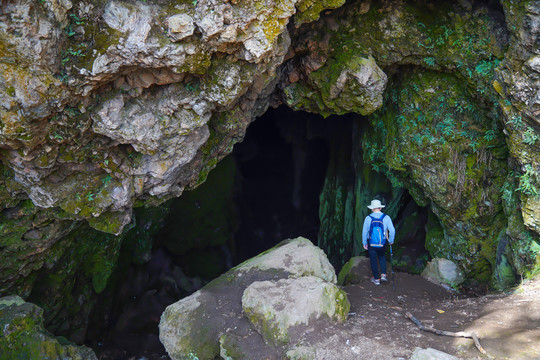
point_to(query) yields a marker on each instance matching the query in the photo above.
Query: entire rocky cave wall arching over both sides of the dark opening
(110, 105)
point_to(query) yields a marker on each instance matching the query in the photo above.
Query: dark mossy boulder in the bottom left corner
(23, 335)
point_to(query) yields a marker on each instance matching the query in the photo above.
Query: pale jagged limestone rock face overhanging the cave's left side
(109, 105)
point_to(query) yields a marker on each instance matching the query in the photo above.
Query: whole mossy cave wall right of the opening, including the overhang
(429, 78)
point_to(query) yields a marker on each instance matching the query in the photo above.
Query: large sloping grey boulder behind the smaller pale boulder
(193, 325)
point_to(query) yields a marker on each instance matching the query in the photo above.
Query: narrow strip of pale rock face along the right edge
(518, 82)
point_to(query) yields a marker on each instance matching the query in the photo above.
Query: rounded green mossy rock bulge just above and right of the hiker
(427, 121)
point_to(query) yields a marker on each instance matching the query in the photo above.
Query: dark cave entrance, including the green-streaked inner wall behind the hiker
(294, 174)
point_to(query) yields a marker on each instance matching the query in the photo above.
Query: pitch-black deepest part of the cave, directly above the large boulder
(280, 175)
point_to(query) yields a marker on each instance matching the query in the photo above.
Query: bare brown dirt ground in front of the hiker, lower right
(508, 325)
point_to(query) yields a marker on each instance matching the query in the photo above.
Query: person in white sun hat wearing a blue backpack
(378, 230)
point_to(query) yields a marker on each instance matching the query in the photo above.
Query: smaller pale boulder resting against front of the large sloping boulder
(275, 307)
